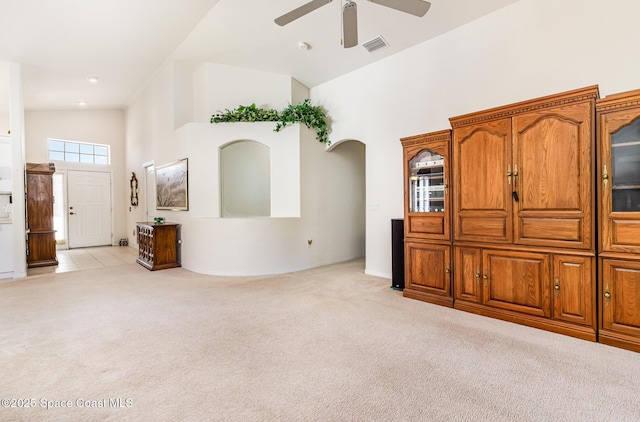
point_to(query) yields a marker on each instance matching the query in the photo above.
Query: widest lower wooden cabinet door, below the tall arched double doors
(517, 281)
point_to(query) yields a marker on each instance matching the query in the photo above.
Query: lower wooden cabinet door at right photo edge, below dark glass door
(620, 298)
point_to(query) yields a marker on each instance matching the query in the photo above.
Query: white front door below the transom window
(89, 208)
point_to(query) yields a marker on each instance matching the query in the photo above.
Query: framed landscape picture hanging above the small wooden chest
(172, 186)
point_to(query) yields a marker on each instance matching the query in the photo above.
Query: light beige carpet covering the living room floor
(328, 344)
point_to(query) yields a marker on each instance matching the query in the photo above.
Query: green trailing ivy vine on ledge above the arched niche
(313, 117)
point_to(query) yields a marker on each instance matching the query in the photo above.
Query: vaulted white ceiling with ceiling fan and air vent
(61, 43)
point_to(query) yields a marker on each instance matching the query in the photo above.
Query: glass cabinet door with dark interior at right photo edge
(625, 171)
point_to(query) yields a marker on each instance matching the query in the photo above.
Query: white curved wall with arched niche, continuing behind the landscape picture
(310, 195)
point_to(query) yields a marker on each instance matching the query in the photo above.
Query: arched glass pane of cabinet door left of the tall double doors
(427, 182)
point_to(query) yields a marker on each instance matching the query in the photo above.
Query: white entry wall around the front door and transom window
(94, 126)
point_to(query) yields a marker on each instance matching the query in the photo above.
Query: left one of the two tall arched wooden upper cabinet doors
(482, 198)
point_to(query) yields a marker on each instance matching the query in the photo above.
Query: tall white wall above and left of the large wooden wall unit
(529, 49)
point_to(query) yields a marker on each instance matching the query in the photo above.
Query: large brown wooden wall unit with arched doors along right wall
(517, 241)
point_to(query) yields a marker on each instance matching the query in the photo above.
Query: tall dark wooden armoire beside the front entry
(41, 237)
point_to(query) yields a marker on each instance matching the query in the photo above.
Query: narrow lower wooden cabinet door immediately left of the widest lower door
(467, 278)
